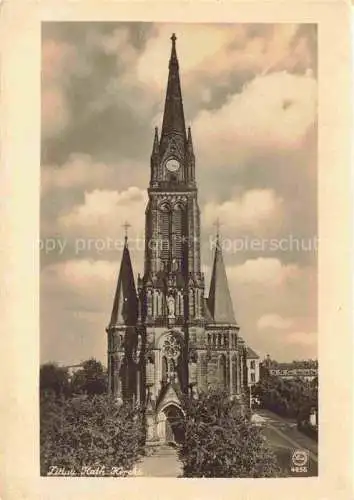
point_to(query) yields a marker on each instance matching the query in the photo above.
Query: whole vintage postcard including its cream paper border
(191, 197)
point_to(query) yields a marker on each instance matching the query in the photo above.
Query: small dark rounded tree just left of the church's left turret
(90, 379)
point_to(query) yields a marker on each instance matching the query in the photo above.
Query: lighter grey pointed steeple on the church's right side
(219, 300)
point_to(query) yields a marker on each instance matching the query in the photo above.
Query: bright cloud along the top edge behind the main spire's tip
(211, 54)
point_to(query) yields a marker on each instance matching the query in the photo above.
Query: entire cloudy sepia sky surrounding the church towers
(250, 95)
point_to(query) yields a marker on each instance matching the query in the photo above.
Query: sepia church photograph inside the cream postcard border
(178, 250)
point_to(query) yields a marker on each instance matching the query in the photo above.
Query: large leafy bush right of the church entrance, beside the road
(220, 442)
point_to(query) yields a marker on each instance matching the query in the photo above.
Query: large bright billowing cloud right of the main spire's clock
(272, 113)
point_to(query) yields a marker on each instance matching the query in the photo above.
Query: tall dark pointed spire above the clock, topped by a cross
(173, 118)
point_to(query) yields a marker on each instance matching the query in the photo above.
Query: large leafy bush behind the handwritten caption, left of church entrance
(88, 431)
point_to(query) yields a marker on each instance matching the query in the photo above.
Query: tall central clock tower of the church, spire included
(172, 289)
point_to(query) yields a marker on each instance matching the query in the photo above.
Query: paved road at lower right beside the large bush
(285, 438)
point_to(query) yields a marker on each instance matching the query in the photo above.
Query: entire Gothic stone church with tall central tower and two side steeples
(165, 339)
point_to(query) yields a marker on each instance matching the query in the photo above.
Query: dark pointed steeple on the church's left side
(125, 305)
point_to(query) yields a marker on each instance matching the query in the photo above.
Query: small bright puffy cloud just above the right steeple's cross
(252, 209)
